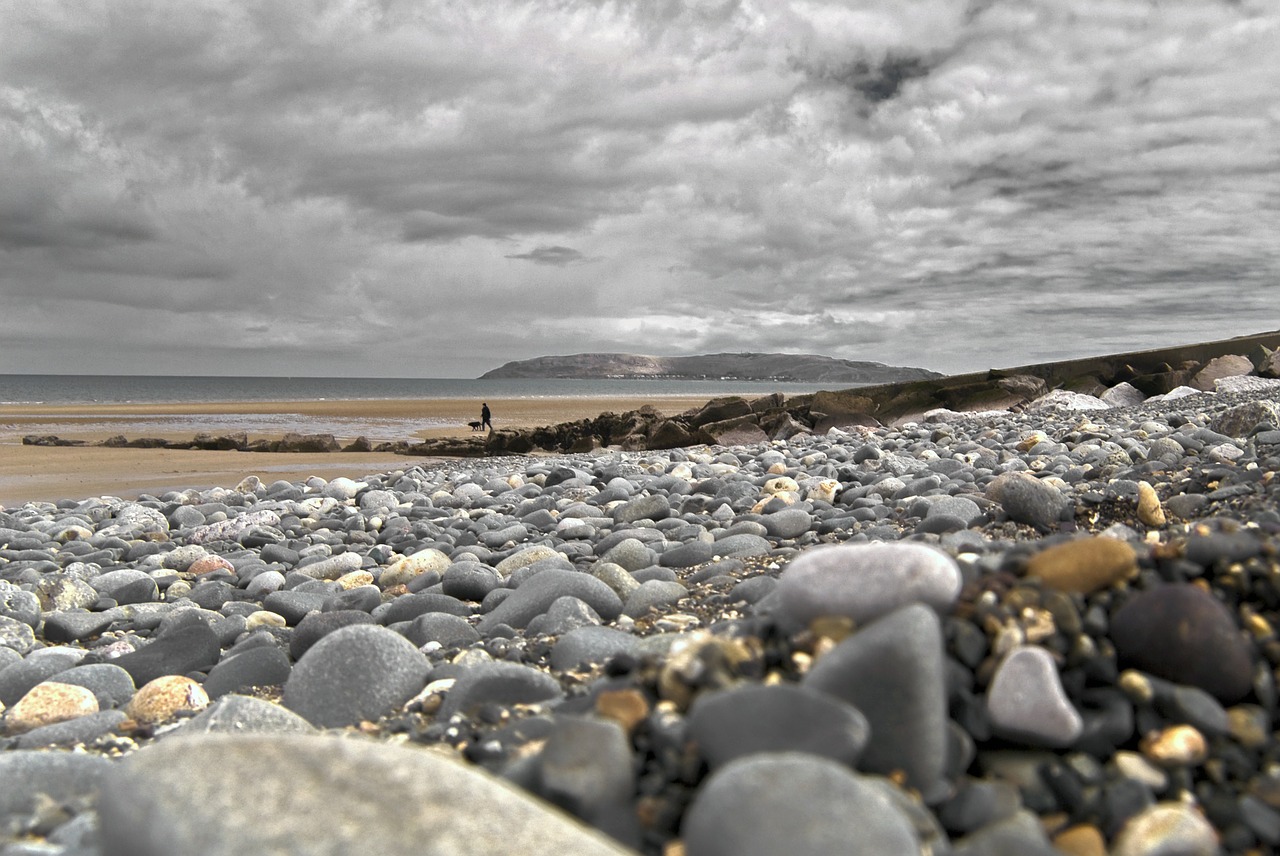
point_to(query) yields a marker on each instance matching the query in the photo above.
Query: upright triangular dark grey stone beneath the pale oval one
(894, 672)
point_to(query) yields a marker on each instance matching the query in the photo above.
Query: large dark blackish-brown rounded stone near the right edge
(1183, 634)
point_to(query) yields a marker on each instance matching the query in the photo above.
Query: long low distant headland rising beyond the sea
(783, 368)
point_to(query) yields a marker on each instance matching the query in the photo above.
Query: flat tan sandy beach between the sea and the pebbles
(49, 474)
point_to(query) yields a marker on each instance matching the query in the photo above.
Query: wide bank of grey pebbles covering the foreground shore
(1049, 631)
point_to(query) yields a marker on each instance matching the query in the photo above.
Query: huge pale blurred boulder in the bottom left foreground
(323, 795)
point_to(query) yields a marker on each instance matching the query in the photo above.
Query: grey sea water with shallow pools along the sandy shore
(62, 391)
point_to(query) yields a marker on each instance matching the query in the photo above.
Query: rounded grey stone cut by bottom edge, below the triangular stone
(796, 804)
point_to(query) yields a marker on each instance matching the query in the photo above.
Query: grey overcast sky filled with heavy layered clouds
(436, 187)
